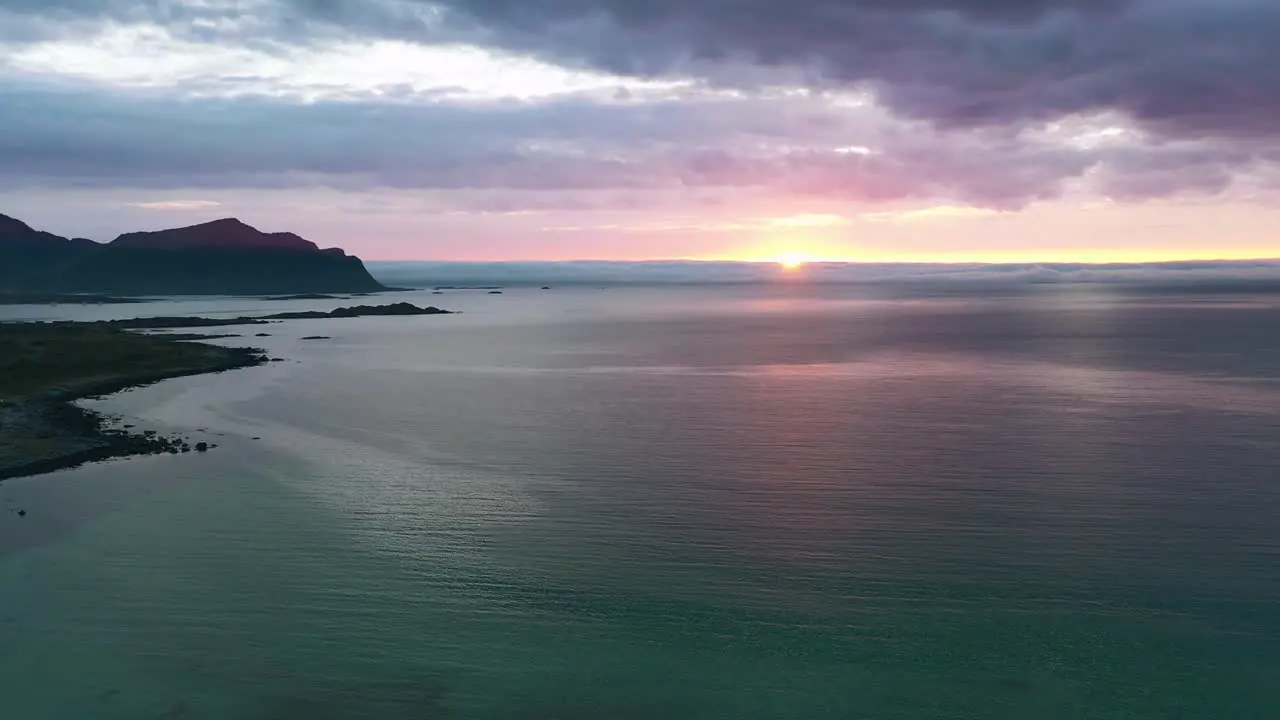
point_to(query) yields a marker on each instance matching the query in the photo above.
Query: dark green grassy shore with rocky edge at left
(45, 367)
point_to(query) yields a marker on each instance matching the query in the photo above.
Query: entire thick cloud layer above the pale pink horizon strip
(989, 104)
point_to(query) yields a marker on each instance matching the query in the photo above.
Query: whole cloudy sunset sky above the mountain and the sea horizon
(985, 131)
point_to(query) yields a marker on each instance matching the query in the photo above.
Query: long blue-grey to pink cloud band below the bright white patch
(98, 139)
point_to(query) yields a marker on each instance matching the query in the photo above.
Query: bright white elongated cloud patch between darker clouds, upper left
(125, 57)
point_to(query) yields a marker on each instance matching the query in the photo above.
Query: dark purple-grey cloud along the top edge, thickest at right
(1185, 69)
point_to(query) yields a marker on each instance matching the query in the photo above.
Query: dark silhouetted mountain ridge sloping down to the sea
(220, 258)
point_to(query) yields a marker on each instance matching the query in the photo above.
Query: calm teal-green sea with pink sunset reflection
(776, 502)
